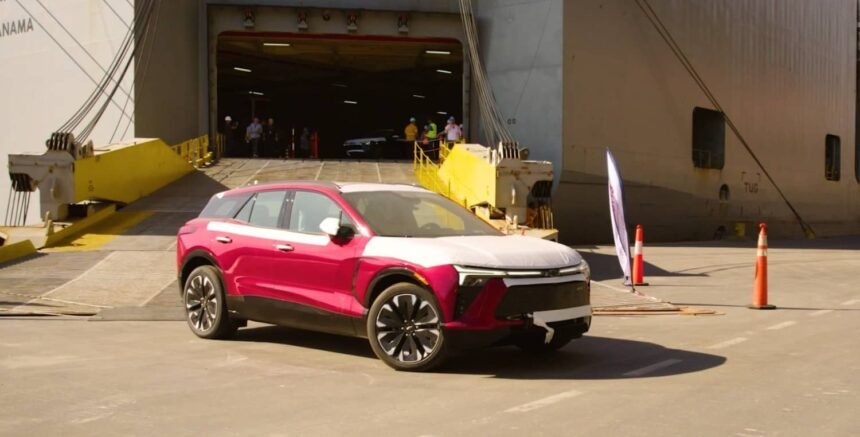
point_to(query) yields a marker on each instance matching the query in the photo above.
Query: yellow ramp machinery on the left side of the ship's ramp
(80, 185)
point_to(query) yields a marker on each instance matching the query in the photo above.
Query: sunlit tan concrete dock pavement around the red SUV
(794, 371)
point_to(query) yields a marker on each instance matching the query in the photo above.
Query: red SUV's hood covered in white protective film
(506, 252)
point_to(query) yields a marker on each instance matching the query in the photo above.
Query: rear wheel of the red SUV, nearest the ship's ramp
(205, 304)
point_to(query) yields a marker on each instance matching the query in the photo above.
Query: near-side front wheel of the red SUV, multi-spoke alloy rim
(404, 328)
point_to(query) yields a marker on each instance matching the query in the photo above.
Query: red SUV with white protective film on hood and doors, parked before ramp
(415, 273)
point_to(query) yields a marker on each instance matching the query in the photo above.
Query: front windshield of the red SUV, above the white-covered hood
(416, 214)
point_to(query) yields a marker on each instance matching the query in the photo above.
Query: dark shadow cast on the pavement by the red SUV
(589, 358)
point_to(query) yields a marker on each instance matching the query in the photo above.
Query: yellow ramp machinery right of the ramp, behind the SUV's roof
(511, 193)
